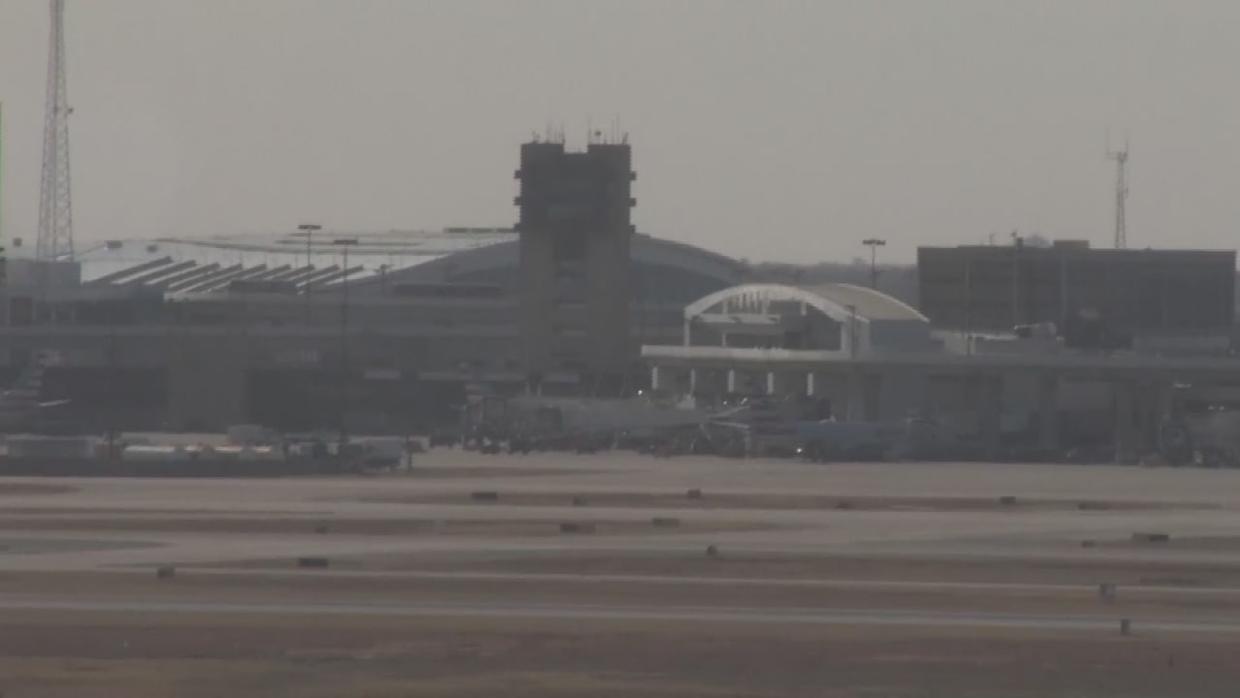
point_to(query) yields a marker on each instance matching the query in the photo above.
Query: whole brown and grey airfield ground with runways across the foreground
(782, 580)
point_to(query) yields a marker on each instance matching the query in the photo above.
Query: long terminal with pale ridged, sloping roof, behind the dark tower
(203, 334)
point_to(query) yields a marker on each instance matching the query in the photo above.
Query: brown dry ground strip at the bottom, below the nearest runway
(281, 656)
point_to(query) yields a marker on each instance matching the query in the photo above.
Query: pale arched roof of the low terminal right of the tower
(839, 302)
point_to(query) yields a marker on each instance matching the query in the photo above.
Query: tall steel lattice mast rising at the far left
(55, 206)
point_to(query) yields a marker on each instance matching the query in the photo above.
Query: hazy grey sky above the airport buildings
(763, 130)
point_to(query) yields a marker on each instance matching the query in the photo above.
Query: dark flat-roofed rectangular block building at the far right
(1134, 294)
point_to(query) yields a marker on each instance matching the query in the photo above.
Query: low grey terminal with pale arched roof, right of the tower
(864, 356)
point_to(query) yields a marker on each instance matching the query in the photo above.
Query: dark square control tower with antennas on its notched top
(576, 287)
